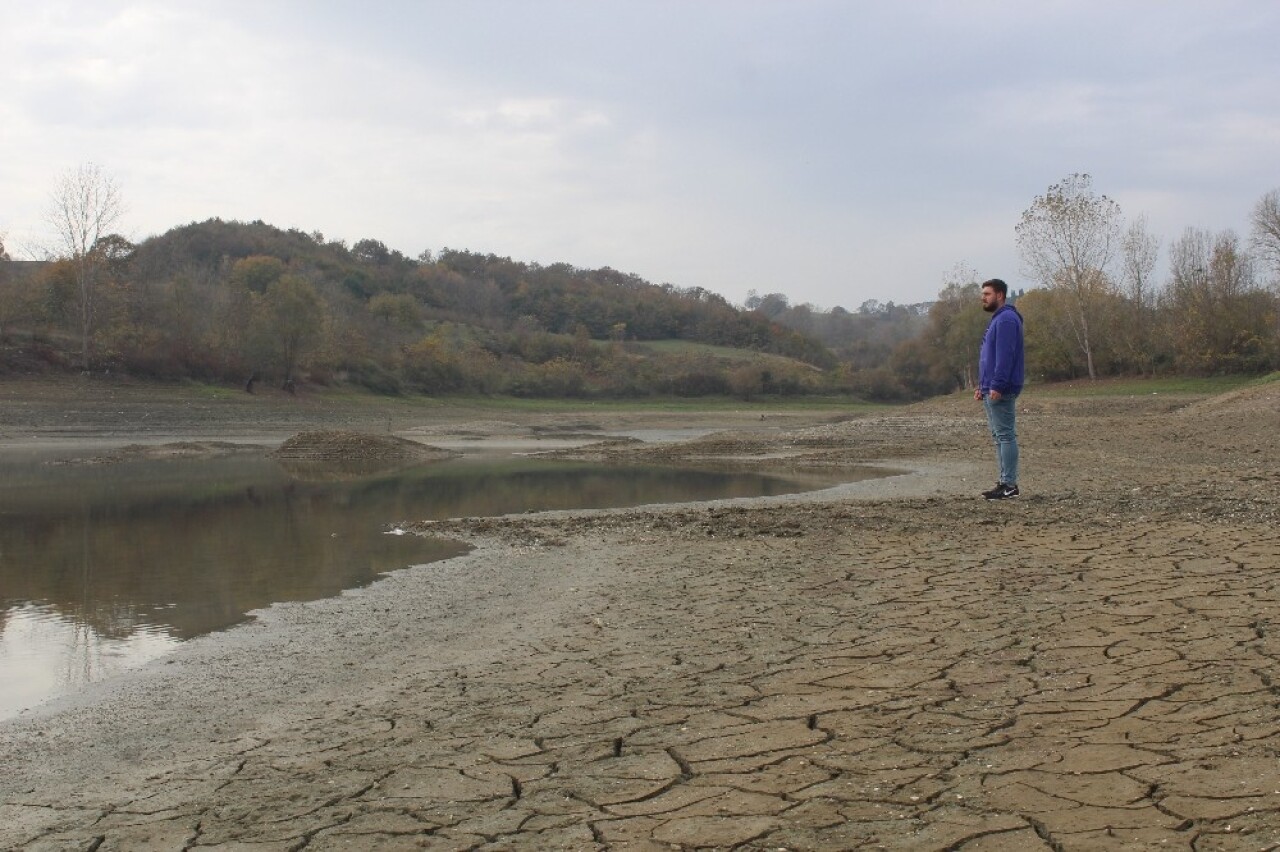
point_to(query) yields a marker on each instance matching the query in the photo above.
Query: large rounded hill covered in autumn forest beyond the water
(225, 301)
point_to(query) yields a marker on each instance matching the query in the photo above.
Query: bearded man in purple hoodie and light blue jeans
(1000, 381)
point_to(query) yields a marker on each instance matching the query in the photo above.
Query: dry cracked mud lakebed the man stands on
(889, 665)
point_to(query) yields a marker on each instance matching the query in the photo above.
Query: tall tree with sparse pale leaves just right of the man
(1068, 239)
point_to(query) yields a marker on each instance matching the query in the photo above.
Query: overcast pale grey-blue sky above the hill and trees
(834, 152)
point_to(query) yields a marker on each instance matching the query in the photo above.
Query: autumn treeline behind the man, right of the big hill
(1100, 309)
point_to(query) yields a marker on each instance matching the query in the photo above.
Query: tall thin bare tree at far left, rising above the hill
(83, 210)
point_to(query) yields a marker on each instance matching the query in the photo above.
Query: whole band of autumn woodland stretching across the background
(245, 304)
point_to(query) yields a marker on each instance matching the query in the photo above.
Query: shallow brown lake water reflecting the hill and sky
(104, 567)
